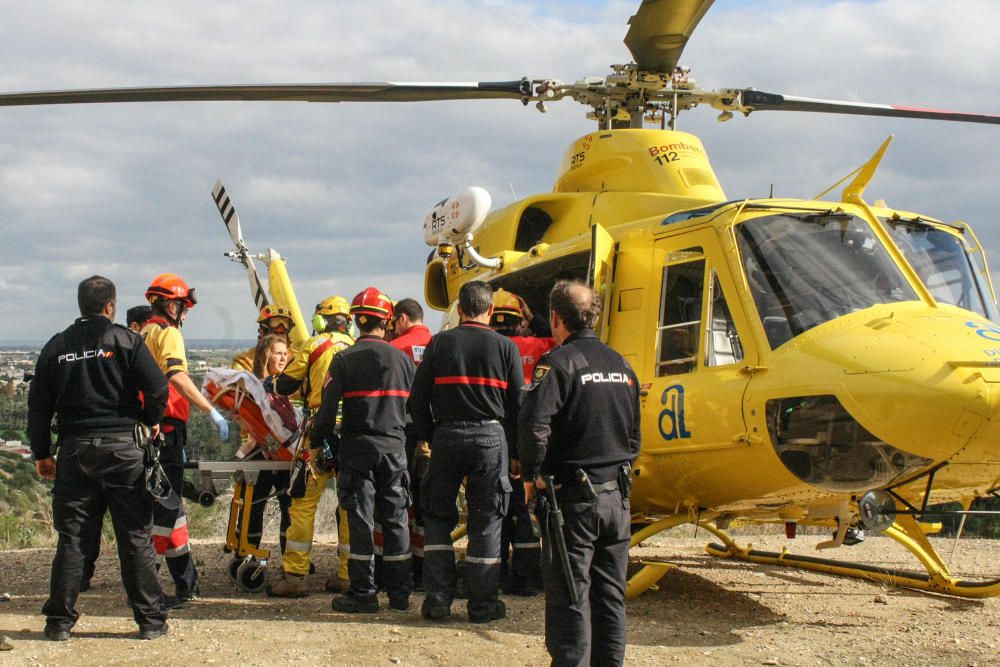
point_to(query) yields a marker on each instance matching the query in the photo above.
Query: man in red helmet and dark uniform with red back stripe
(373, 380)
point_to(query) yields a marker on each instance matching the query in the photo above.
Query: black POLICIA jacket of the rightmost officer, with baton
(581, 411)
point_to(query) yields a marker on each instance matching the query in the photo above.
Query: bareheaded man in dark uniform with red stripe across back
(464, 402)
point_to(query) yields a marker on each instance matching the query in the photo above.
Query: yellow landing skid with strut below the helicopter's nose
(906, 530)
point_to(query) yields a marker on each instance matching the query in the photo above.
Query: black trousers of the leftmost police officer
(91, 472)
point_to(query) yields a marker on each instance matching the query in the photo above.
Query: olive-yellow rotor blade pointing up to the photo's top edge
(660, 29)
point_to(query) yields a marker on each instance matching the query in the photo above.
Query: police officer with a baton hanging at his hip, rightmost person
(580, 423)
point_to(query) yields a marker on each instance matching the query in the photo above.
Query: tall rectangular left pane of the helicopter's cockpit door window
(680, 317)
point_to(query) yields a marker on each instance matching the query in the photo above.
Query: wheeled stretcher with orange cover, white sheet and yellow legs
(242, 396)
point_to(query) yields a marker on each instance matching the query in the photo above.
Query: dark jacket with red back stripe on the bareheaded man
(469, 373)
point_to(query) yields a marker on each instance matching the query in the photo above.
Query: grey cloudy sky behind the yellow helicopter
(341, 189)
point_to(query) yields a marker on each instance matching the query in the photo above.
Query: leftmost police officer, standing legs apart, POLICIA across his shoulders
(89, 377)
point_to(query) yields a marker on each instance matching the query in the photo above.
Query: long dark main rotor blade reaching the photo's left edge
(306, 92)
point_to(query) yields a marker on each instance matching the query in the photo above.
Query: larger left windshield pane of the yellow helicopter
(807, 269)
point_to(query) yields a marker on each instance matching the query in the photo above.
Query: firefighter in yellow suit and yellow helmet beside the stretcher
(307, 372)
